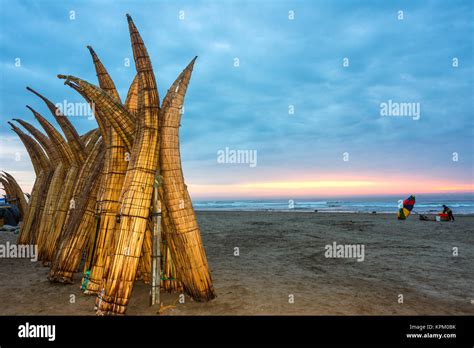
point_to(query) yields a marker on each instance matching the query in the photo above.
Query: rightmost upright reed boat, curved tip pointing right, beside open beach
(187, 249)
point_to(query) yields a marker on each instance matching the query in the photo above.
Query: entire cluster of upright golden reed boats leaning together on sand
(92, 197)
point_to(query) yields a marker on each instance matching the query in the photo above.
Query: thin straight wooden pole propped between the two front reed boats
(156, 252)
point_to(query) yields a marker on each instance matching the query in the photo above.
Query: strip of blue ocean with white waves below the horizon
(426, 204)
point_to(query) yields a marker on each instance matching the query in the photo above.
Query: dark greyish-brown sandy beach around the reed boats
(282, 258)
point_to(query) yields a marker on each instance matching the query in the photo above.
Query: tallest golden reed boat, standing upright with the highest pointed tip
(138, 187)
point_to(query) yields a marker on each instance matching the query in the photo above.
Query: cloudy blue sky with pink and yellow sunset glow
(298, 86)
